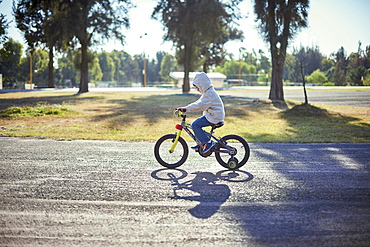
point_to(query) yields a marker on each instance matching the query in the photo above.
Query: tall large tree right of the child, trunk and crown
(279, 21)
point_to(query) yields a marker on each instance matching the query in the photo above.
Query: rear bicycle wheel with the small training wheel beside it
(239, 155)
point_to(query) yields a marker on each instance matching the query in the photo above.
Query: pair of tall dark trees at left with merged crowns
(61, 25)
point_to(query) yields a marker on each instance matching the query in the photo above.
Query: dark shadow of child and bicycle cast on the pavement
(204, 188)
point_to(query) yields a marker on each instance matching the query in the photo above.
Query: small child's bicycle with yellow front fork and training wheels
(171, 150)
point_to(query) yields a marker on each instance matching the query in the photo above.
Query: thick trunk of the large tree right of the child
(276, 89)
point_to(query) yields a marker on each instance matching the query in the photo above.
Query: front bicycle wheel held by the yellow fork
(163, 155)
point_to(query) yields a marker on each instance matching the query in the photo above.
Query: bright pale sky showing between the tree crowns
(332, 24)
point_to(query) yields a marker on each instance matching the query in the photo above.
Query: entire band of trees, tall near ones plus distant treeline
(198, 30)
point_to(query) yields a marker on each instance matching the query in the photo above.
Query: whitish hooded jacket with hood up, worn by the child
(210, 102)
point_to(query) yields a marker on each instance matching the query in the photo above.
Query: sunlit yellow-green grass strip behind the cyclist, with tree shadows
(132, 116)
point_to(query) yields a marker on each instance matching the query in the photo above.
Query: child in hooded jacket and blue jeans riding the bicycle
(211, 105)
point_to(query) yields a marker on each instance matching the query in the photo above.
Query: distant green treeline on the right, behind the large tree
(338, 69)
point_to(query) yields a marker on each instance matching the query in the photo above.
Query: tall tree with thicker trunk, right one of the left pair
(89, 17)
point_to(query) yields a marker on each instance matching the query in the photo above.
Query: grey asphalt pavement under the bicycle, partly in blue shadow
(109, 193)
